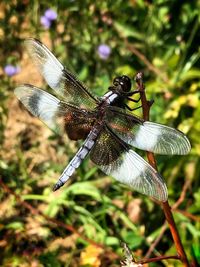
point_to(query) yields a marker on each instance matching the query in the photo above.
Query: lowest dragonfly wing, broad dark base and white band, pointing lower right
(115, 158)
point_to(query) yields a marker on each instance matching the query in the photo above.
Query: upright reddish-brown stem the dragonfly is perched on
(151, 158)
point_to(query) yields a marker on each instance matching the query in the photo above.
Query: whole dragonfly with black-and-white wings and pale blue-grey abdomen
(106, 124)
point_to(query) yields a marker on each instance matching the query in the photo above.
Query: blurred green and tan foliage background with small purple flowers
(83, 223)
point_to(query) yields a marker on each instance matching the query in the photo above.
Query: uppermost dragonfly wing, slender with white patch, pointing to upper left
(59, 78)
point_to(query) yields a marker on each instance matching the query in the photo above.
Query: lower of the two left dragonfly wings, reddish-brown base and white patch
(56, 114)
